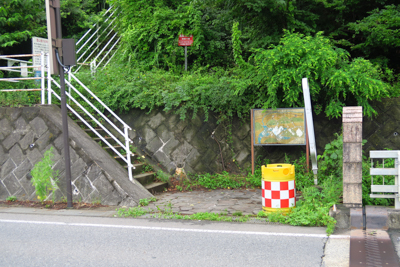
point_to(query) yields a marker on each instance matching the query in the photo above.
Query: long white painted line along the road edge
(177, 229)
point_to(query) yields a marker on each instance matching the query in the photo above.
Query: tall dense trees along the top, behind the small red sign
(150, 28)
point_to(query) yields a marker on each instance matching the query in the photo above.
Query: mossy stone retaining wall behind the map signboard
(197, 145)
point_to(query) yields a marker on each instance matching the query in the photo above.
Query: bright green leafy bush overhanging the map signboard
(272, 77)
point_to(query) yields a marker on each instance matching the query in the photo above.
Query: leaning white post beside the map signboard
(310, 127)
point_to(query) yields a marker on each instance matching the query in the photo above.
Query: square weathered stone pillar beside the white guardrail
(352, 157)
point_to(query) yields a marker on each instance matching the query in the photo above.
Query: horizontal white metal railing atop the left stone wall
(23, 69)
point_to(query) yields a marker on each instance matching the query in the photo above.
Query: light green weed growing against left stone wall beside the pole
(44, 178)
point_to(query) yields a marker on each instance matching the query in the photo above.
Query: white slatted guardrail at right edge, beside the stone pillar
(394, 190)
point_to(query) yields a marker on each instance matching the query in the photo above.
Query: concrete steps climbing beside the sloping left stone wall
(143, 173)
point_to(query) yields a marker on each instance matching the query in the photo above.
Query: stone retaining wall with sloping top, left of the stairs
(26, 133)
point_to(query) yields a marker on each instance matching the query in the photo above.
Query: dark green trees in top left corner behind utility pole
(20, 20)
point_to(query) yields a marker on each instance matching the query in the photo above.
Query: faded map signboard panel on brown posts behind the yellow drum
(285, 126)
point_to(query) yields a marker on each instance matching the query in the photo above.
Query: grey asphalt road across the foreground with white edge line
(37, 240)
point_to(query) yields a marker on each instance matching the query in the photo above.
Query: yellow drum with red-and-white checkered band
(278, 187)
